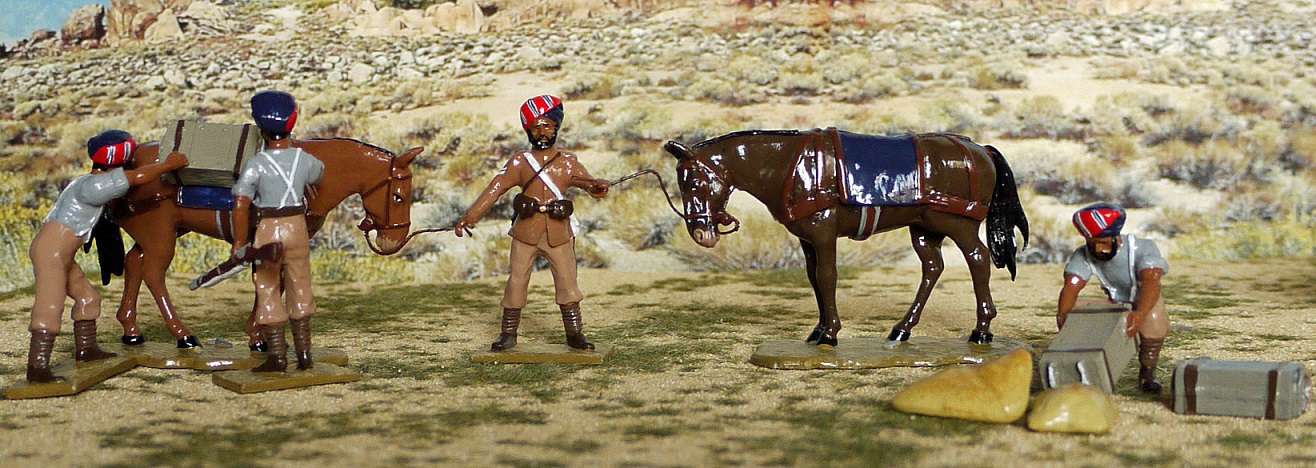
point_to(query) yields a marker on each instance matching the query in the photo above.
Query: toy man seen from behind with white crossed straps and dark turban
(273, 187)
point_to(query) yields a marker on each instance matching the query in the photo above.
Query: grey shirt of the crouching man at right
(1119, 275)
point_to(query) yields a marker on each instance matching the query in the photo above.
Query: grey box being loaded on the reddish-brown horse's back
(215, 152)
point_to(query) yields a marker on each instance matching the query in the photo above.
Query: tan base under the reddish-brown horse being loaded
(211, 358)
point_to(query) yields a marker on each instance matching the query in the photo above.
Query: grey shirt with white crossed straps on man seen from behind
(278, 178)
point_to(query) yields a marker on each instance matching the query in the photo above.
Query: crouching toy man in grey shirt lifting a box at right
(1130, 271)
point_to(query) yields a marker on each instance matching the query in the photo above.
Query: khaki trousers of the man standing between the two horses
(561, 264)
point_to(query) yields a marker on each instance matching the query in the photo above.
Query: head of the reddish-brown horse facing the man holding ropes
(389, 204)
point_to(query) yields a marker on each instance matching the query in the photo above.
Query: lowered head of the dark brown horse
(703, 194)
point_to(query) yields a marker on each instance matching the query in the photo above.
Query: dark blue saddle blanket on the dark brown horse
(878, 172)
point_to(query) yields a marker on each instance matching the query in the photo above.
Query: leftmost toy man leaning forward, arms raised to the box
(68, 228)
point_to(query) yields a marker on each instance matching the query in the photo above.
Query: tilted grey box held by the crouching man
(1092, 349)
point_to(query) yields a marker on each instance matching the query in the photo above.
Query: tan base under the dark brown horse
(874, 353)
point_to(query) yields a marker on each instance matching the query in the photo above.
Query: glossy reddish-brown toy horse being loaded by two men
(151, 216)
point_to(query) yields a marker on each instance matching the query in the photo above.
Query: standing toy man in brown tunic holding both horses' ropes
(542, 224)
